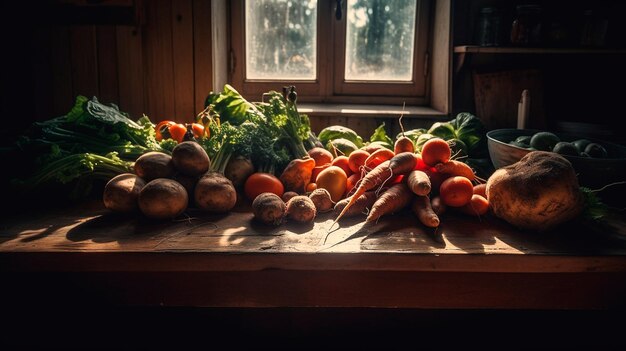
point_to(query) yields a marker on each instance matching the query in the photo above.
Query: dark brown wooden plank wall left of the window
(161, 67)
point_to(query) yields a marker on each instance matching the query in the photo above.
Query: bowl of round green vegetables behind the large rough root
(592, 172)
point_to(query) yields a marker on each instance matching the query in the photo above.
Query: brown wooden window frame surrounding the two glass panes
(329, 85)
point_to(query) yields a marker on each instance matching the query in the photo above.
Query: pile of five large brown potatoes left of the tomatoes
(164, 186)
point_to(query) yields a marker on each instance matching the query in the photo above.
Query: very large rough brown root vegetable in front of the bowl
(538, 192)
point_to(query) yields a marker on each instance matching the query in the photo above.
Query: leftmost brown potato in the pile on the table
(121, 192)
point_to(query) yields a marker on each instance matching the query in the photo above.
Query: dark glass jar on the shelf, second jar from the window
(526, 26)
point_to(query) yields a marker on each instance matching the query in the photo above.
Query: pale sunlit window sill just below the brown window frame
(369, 111)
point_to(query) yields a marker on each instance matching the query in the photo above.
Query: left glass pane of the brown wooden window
(281, 39)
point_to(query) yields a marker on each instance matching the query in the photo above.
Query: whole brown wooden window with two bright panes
(369, 51)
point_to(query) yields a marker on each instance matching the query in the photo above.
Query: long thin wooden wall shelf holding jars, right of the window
(470, 49)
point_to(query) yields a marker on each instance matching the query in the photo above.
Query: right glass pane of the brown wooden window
(379, 40)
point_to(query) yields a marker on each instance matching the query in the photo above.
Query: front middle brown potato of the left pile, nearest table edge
(163, 198)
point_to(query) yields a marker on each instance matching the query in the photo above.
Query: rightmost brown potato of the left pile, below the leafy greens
(215, 193)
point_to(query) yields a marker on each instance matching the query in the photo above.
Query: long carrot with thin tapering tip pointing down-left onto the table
(400, 164)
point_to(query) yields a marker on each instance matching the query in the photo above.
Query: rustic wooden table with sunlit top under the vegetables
(231, 261)
